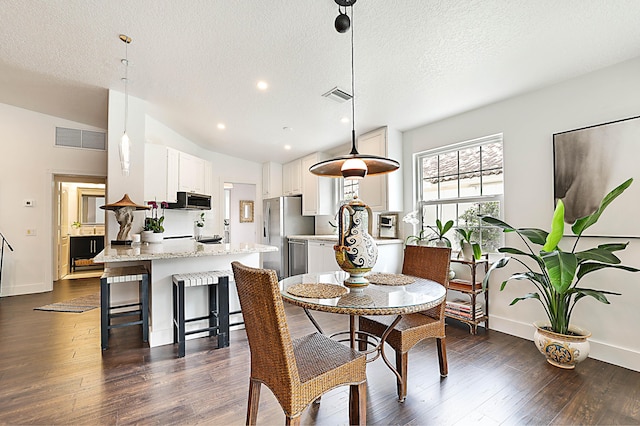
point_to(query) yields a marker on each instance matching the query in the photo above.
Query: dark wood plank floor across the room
(52, 371)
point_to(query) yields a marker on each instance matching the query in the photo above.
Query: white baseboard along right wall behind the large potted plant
(601, 351)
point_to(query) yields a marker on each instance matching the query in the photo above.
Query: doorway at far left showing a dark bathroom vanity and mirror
(79, 225)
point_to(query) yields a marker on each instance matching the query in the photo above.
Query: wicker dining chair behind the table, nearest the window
(425, 262)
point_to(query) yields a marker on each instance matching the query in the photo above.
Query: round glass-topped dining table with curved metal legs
(375, 299)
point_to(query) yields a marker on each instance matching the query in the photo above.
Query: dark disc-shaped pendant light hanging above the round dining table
(353, 165)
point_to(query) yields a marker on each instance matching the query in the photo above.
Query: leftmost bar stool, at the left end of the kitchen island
(124, 274)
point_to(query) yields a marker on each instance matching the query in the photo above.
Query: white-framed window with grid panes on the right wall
(460, 183)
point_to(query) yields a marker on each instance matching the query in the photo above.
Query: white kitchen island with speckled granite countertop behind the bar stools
(174, 257)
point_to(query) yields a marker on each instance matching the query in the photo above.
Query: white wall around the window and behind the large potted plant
(528, 123)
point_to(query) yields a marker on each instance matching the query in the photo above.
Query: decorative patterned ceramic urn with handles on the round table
(356, 251)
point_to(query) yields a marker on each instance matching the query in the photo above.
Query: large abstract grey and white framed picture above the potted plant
(588, 163)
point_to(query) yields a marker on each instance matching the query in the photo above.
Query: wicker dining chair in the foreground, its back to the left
(297, 371)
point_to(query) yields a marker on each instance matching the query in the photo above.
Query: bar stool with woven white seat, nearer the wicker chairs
(217, 283)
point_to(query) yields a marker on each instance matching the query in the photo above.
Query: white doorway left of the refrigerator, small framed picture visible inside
(240, 213)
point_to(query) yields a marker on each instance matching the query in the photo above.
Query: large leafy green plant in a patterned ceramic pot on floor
(557, 277)
